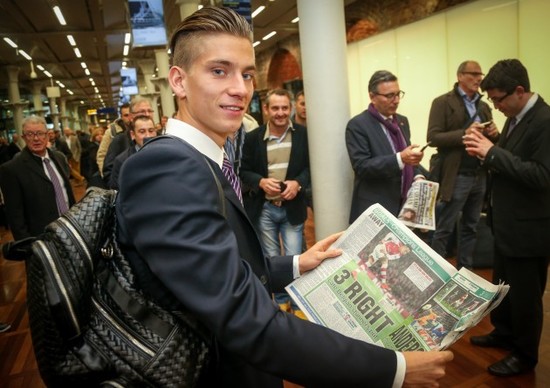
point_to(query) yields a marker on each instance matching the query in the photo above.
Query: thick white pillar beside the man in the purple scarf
(324, 65)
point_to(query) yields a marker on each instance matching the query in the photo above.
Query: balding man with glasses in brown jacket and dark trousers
(462, 180)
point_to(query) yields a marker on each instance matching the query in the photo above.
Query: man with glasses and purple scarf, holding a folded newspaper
(379, 147)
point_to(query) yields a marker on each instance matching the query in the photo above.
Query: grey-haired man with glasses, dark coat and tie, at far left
(35, 184)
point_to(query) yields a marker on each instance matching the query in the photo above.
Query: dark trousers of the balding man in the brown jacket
(467, 198)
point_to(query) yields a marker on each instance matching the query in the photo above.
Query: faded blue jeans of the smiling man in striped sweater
(273, 227)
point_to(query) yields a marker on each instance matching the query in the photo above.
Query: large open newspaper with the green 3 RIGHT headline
(391, 289)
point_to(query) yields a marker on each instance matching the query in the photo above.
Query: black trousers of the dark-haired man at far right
(518, 319)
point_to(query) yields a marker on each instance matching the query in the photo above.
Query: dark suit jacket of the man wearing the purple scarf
(377, 173)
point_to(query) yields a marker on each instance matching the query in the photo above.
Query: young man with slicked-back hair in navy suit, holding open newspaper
(192, 255)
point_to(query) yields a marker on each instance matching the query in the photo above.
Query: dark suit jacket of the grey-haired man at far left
(29, 194)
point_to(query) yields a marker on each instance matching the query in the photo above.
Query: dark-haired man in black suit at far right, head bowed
(519, 213)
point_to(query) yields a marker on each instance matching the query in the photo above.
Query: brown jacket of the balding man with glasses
(448, 119)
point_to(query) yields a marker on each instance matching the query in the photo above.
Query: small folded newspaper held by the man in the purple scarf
(419, 208)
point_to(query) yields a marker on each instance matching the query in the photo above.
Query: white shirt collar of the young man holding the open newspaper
(196, 139)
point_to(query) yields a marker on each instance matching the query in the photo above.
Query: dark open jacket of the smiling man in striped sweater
(254, 168)
